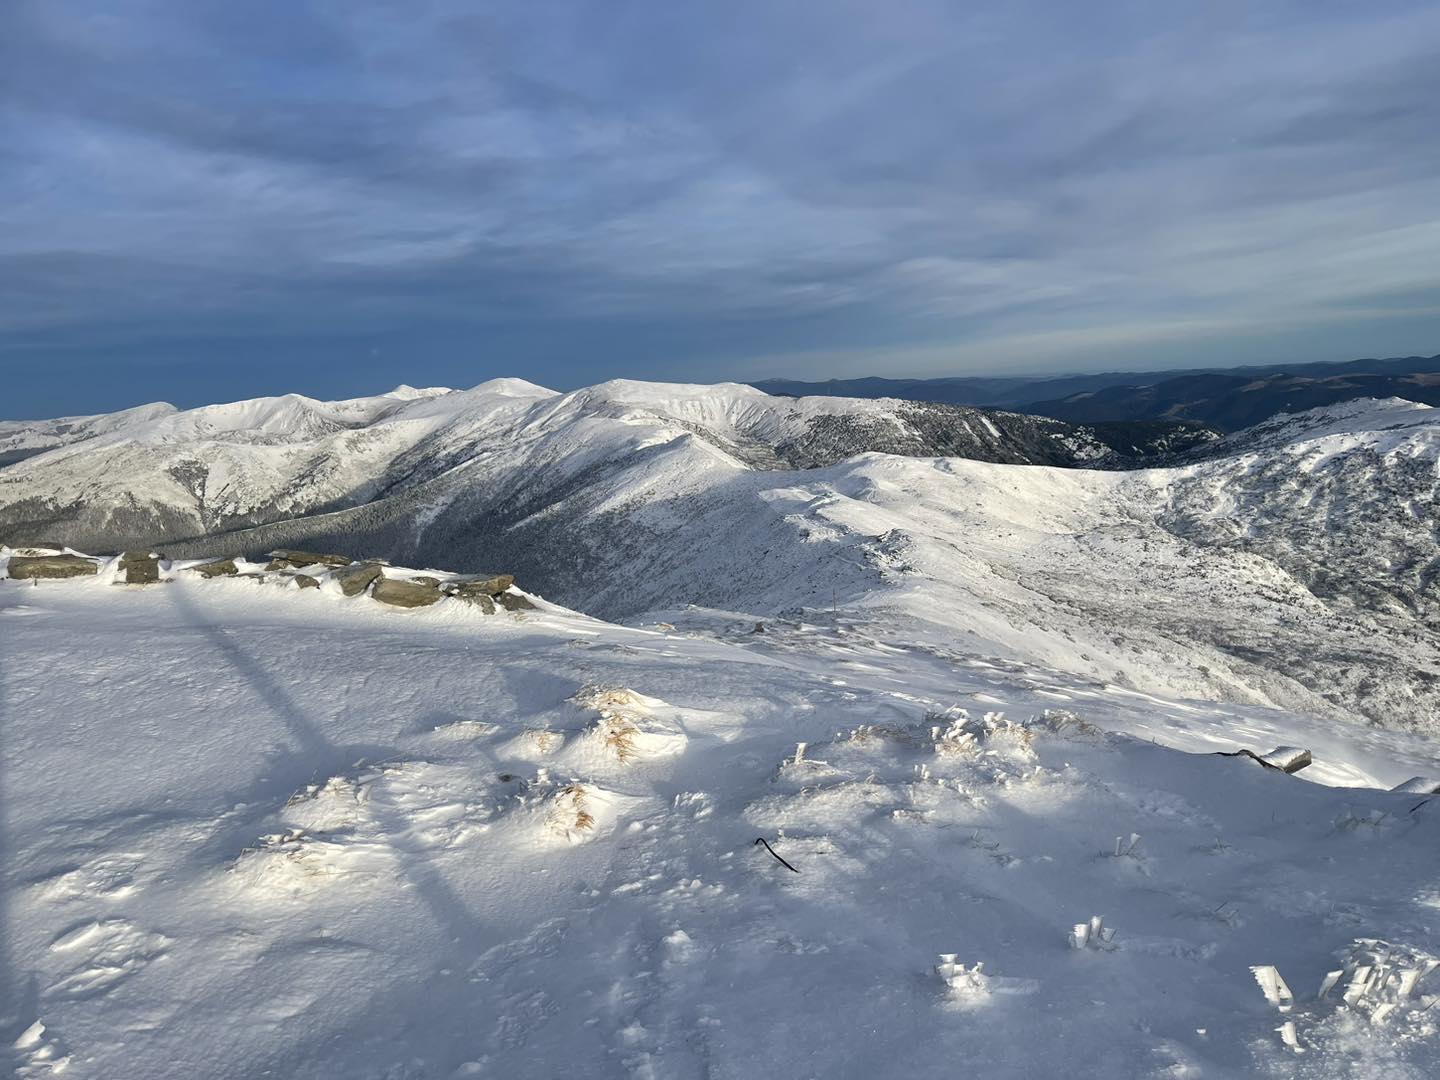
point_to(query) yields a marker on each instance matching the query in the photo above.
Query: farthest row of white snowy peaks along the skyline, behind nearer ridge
(225, 467)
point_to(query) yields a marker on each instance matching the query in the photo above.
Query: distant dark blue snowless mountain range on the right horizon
(1226, 400)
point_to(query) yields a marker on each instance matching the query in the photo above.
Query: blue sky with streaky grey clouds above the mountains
(211, 201)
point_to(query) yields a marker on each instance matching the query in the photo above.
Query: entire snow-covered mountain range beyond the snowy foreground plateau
(1207, 580)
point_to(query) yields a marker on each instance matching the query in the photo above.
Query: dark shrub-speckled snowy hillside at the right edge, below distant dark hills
(1346, 502)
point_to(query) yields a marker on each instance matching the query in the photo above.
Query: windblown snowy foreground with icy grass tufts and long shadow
(258, 832)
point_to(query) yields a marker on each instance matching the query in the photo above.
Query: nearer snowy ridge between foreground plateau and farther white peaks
(1210, 580)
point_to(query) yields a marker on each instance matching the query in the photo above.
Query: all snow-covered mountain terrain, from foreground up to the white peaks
(973, 709)
